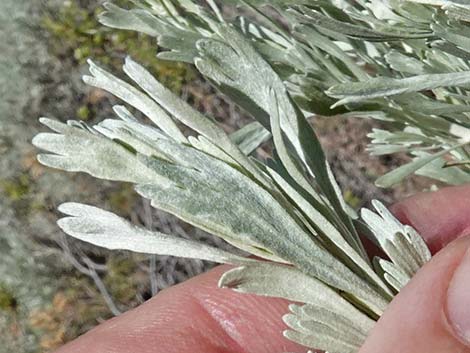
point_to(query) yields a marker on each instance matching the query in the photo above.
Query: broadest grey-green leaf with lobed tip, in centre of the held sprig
(212, 195)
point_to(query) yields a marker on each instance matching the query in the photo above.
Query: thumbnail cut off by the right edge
(458, 300)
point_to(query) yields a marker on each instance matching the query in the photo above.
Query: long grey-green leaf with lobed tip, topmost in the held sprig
(235, 63)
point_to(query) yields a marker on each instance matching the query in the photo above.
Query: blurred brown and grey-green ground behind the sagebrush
(53, 289)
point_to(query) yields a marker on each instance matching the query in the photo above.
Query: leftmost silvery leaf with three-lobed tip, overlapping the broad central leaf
(77, 150)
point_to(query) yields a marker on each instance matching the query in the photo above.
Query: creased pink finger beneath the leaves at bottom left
(195, 316)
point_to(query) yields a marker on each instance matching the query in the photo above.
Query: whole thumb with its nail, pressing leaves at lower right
(430, 315)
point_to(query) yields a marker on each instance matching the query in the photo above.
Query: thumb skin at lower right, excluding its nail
(416, 319)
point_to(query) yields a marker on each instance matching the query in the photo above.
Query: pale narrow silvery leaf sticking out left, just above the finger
(105, 229)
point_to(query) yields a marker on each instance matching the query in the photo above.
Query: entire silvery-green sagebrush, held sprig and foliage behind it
(404, 63)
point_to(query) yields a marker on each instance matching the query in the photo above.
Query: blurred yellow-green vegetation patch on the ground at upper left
(75, 32)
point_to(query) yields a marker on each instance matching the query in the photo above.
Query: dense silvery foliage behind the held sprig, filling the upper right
(403, 63)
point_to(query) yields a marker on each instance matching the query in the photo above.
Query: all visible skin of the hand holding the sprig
(429, 315)
